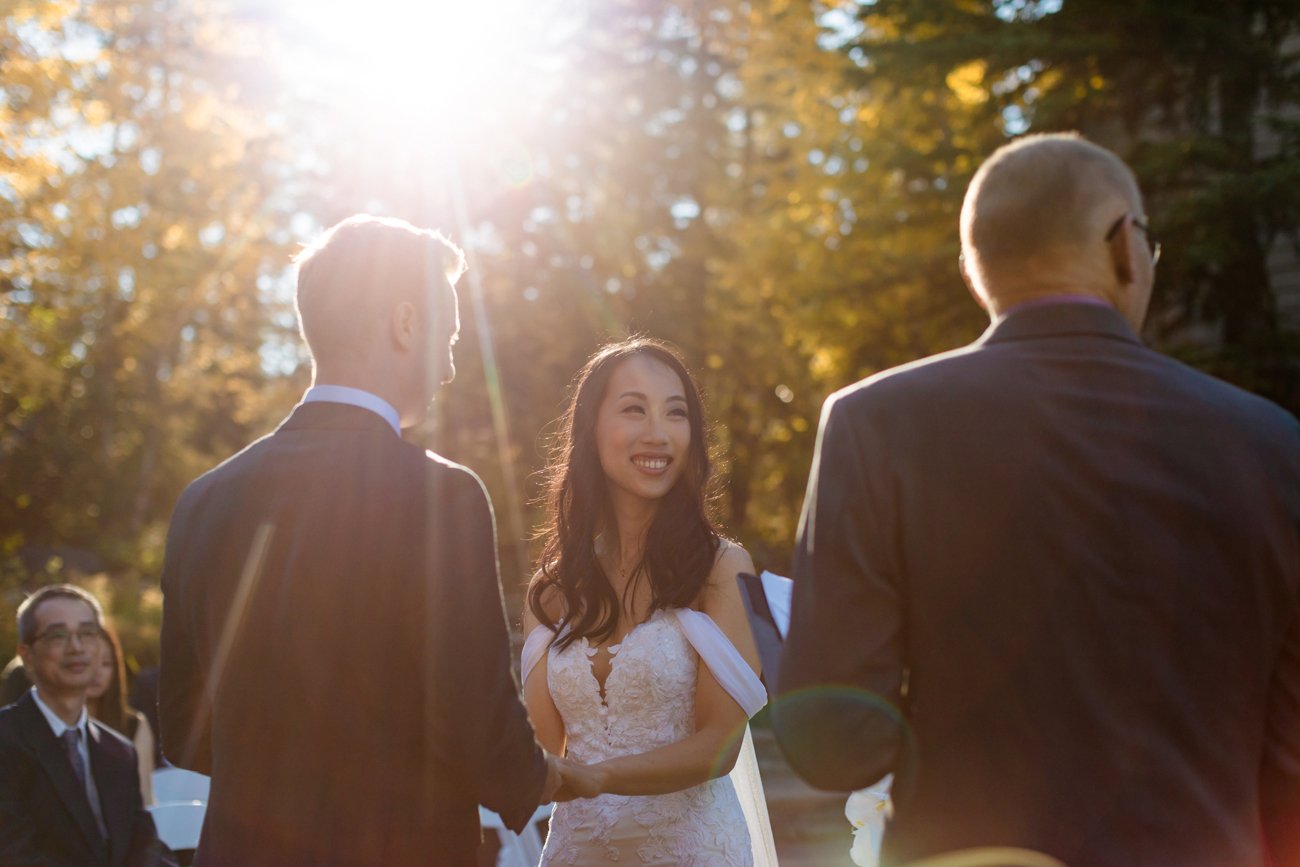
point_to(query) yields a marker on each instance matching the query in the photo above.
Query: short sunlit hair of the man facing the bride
(361, 270)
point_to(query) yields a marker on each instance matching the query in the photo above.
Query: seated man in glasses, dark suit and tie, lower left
(70, 787)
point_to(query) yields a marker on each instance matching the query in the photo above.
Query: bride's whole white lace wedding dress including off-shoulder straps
(651, 703)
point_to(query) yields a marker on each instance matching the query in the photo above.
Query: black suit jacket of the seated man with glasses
(45, 814)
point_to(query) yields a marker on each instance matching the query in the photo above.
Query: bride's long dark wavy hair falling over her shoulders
(682, 543)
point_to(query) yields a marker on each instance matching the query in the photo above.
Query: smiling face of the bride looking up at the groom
(643, 430)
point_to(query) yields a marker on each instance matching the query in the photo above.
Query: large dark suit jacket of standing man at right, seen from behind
(1052, 580)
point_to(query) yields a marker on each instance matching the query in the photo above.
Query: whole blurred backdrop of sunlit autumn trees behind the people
(772, 185)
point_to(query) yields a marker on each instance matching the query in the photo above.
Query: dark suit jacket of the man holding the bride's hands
(336, 653)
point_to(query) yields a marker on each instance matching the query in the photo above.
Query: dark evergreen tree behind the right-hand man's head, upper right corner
(1199, 97)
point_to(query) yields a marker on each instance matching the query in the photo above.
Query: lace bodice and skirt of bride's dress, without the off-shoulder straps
(649, 703)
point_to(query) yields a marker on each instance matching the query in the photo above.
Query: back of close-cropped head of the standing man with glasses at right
(1037, 216)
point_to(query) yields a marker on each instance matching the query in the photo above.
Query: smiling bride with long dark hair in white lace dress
(639, 661)
